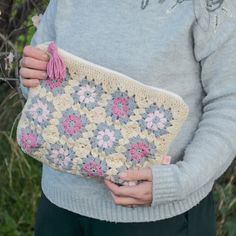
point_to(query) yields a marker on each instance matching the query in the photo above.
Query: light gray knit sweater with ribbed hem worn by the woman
(188, 48)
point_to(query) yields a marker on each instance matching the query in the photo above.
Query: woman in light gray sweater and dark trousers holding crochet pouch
(186, 47)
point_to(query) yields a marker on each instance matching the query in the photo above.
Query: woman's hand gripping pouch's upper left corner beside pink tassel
(33, 66)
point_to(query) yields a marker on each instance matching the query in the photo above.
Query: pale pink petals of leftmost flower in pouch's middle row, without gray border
(39, 111)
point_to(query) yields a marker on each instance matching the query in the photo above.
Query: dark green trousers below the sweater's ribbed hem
(54, 221)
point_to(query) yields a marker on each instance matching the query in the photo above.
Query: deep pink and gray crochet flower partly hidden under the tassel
(56, 86)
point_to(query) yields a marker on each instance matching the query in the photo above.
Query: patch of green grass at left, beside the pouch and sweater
(19, 175)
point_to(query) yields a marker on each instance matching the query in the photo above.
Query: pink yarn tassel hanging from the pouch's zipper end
(56, 68)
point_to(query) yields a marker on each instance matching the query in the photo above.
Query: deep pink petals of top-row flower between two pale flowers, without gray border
(120, 106)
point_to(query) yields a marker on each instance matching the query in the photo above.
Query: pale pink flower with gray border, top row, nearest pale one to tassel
(87, 93)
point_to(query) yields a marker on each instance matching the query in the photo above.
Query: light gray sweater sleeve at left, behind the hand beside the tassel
(44, 33)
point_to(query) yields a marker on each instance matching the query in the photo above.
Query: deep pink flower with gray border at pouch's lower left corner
(29, 139)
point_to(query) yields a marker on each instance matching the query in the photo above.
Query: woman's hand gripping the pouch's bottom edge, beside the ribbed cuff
(133, 196)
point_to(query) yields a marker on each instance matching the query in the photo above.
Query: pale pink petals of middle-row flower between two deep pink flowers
(106, 138)
